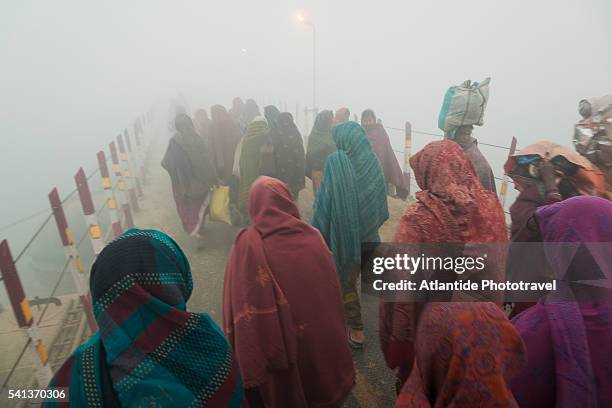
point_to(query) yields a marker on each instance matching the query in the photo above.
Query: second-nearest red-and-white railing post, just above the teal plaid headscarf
(74, 260)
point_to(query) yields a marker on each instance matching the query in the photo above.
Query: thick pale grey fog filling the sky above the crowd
(73, 74)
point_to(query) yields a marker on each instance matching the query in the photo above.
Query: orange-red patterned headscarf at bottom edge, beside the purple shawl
(465, 355)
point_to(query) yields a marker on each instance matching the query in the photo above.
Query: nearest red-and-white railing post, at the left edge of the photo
(23, 315)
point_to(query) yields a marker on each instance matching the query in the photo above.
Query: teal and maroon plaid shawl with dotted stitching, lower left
(149, 351)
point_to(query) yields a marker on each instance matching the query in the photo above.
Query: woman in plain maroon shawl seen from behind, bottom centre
(282, 307)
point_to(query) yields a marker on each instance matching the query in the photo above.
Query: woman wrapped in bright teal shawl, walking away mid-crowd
(350, 207)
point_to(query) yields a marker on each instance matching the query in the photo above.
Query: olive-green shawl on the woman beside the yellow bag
(256, 140)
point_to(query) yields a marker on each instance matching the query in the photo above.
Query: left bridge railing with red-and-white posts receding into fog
(46, 281)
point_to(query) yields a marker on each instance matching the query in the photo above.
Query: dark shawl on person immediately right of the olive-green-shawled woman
(289, 153)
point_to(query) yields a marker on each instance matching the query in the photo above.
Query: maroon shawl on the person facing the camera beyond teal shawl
(379, 139)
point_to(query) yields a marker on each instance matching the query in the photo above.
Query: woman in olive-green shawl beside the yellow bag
(256, 158)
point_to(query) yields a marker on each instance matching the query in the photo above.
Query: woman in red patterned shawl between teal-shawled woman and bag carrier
(452, 207)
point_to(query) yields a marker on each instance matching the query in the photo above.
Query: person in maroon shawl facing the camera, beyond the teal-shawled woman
(379, 139)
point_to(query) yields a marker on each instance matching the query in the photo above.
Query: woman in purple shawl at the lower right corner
(568, 342)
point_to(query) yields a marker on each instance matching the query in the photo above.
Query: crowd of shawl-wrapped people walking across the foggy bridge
(291, 296)
